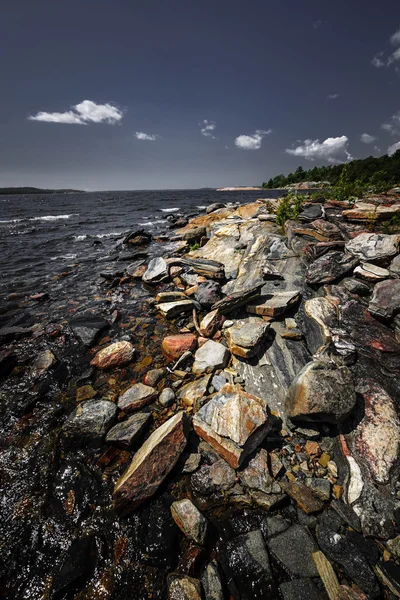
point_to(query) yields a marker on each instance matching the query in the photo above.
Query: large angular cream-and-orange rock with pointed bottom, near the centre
(234, 423)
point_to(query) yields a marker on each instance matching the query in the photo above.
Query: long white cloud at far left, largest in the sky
(81, 114)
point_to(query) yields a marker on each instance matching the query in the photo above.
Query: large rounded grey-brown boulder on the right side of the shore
(321, 392)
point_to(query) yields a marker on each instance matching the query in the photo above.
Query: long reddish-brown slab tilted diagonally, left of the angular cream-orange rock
(151, 464)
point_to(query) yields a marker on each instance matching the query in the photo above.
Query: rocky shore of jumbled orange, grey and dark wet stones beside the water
(229, 429)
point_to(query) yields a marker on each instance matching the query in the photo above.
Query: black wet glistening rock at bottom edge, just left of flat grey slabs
(247, 568)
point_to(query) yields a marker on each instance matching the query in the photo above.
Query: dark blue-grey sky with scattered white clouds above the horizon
(101, 95)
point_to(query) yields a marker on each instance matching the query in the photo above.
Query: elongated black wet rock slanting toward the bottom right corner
(353, 562)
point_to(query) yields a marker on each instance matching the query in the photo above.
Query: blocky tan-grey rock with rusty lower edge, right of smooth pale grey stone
(245, 336)
